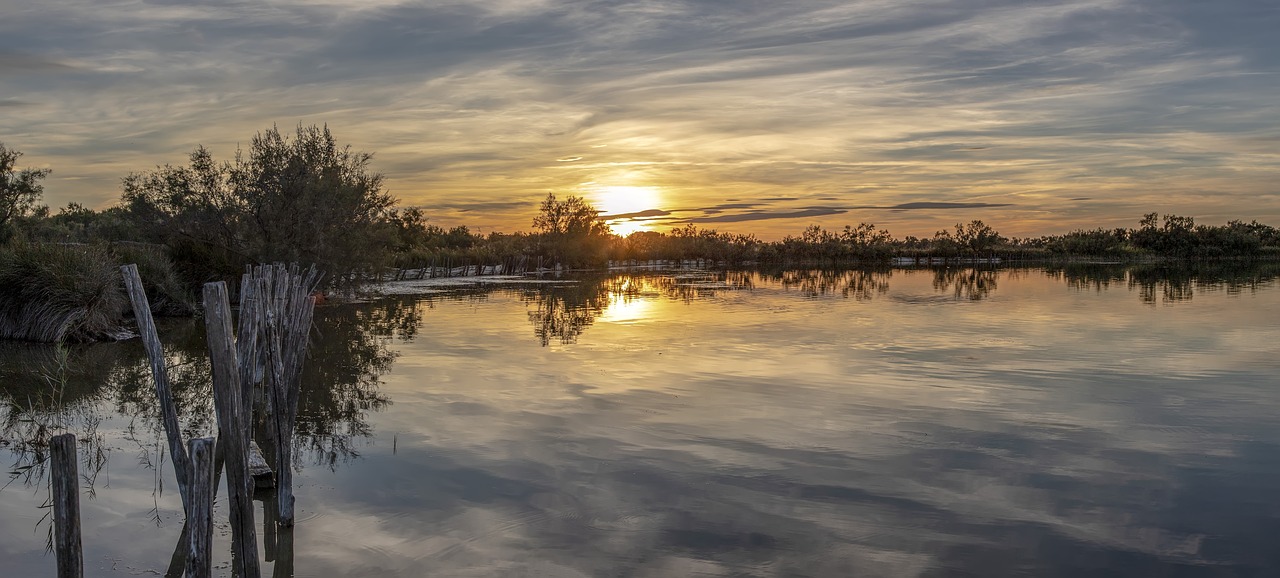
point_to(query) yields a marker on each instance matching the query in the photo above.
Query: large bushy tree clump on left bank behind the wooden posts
(294, 200)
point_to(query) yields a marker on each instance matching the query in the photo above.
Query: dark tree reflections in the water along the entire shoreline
(351, 350)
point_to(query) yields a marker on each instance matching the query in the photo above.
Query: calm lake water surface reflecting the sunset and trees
(1091, 421)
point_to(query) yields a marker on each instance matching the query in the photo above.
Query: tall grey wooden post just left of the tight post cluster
(232, 426)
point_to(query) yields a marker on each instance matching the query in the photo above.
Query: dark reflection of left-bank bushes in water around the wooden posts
(340, 387)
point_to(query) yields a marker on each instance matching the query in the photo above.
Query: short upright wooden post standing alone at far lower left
(66, 481)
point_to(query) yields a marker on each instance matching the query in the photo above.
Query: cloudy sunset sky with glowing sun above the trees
(747, 117)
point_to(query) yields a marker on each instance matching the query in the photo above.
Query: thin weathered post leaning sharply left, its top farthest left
(156, 354)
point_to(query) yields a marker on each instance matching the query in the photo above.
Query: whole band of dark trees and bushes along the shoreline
(305, 199)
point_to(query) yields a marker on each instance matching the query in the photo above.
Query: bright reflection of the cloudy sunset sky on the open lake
(789, 430)
